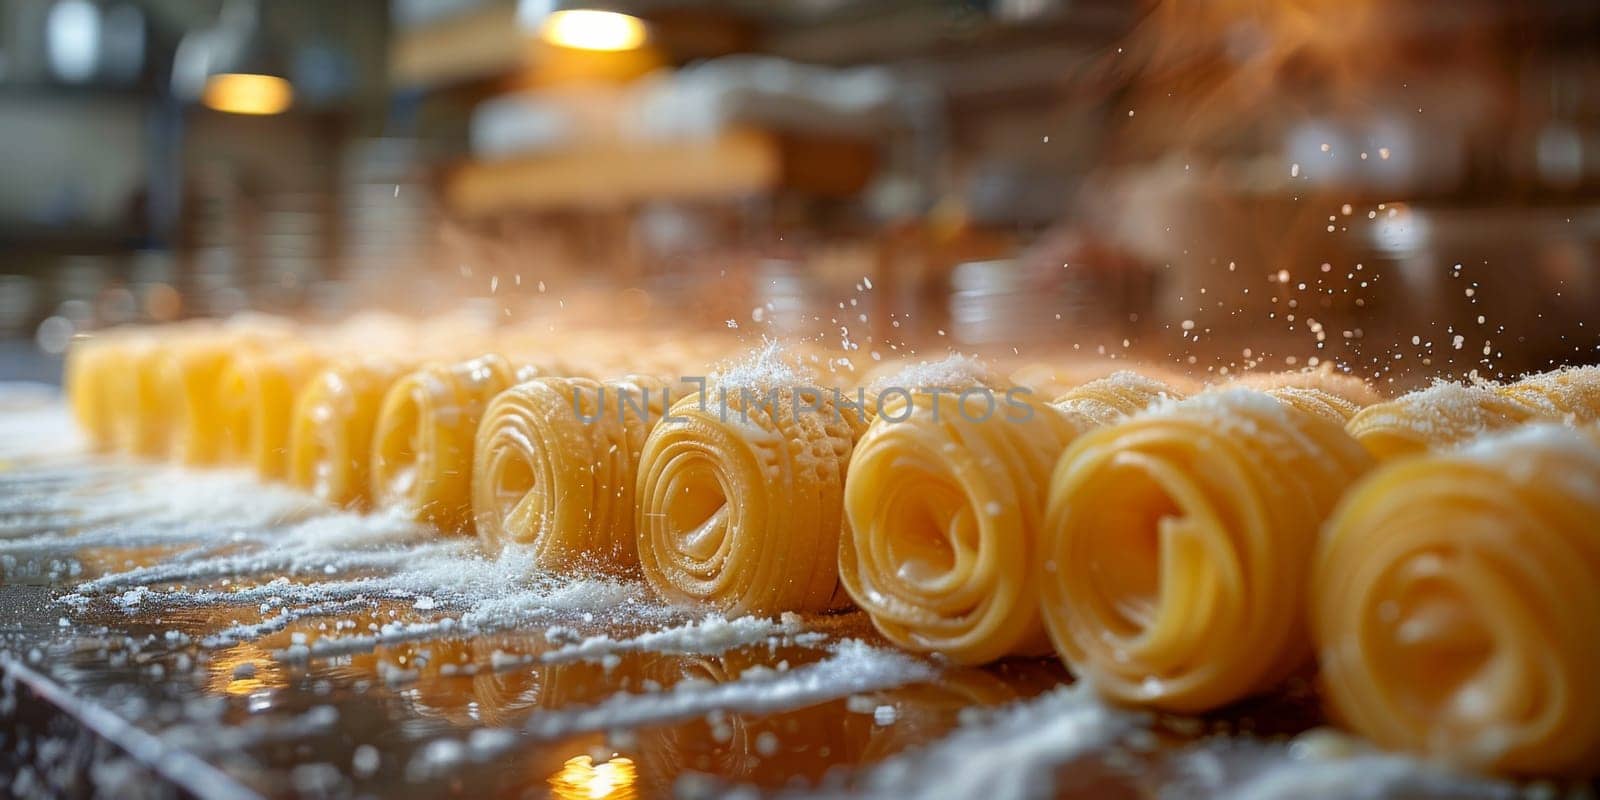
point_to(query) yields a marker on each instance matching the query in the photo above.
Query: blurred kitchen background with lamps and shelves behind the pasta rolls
(1404, 188)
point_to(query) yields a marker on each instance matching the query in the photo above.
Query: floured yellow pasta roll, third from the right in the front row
(946, 498)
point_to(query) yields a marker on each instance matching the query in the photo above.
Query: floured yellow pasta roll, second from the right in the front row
(1178, 548)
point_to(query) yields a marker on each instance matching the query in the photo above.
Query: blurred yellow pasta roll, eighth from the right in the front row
(255, 401)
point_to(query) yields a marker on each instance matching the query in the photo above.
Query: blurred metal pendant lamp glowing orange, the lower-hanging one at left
(233, 68)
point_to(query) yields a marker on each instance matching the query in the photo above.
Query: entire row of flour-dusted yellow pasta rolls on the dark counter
(1434, 556)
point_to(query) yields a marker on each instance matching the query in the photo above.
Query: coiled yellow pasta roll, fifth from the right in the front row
(556, 468)
